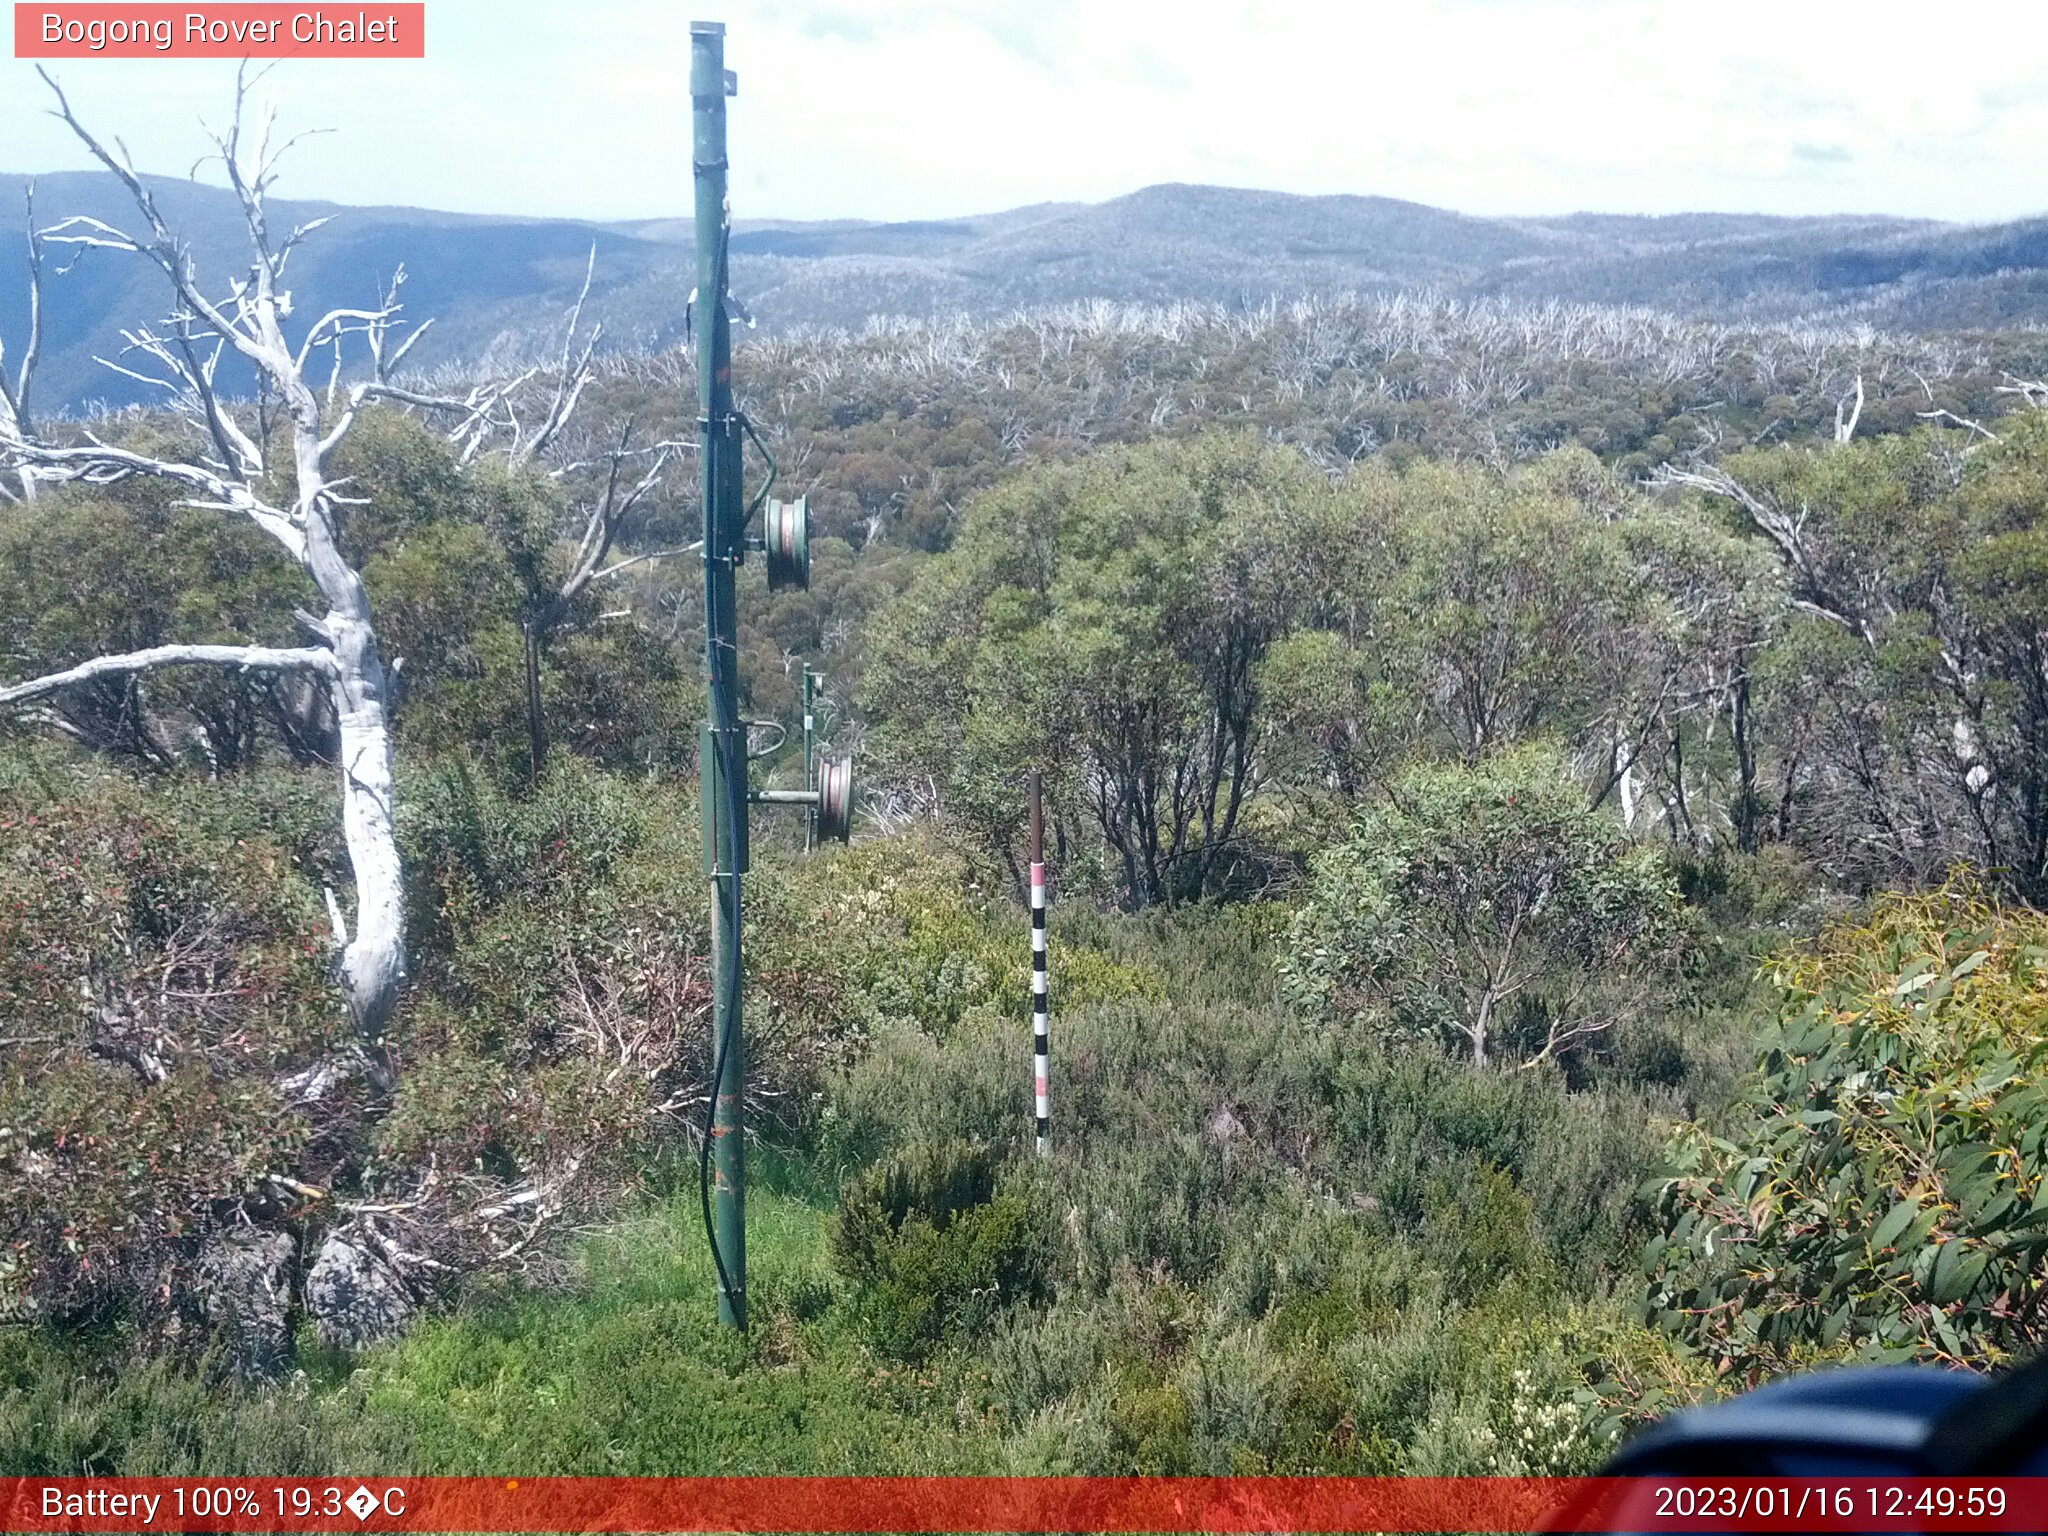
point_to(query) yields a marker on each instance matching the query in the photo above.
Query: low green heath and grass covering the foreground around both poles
(1271, 1250)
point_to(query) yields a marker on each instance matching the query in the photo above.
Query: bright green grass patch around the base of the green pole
(634, 1373)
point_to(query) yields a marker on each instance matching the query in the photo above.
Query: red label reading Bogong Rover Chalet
(220, 32)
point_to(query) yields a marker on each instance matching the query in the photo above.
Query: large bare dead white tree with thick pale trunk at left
(230, 470)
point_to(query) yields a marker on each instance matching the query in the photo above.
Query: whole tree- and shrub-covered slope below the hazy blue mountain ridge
(1547, 814)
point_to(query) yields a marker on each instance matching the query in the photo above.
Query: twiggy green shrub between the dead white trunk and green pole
(558, 1029)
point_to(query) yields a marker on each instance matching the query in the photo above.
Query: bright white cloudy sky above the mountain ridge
(898, 110)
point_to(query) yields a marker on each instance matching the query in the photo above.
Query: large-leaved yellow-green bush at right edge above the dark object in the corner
(1883, 1187)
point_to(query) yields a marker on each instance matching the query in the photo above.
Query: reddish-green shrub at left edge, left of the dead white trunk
(157, 984)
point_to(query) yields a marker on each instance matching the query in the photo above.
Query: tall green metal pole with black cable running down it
(724, 757)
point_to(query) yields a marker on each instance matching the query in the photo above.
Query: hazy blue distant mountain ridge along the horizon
(499, 286)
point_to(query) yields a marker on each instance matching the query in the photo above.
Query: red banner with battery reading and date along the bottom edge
(1017, 1504)
